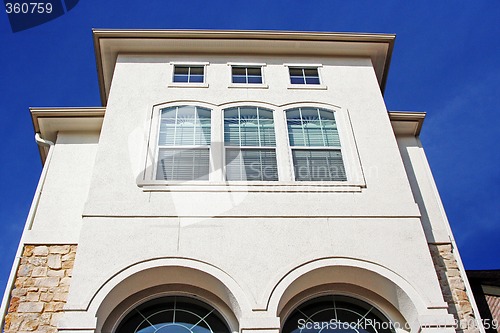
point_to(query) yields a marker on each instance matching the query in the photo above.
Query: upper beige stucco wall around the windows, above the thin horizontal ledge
(139, 83)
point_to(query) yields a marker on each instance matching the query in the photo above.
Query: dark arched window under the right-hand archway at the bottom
(337, 314)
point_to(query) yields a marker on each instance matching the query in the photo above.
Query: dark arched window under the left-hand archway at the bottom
(173, 314)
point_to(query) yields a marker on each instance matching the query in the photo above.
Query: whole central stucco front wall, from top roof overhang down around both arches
(261, 237)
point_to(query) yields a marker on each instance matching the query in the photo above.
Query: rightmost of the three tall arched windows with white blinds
(315, 144)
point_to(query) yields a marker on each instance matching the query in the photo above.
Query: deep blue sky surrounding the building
(446, 62)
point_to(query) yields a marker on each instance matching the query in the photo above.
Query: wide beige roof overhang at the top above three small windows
(109, 43)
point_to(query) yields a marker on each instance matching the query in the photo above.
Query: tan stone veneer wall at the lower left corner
(41, 288)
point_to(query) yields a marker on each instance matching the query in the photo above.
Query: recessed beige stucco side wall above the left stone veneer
(58, 216)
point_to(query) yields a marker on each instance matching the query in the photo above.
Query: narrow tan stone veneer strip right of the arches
(453, 287)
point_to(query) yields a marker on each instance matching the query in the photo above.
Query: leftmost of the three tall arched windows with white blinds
(184, 143)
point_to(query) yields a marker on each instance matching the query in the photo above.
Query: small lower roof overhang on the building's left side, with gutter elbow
(50, 121)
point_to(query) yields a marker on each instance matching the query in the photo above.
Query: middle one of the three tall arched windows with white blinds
(250, 144)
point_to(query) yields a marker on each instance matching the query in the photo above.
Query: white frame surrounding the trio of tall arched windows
(286, 179)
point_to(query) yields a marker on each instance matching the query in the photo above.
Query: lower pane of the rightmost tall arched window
(318, 165)
